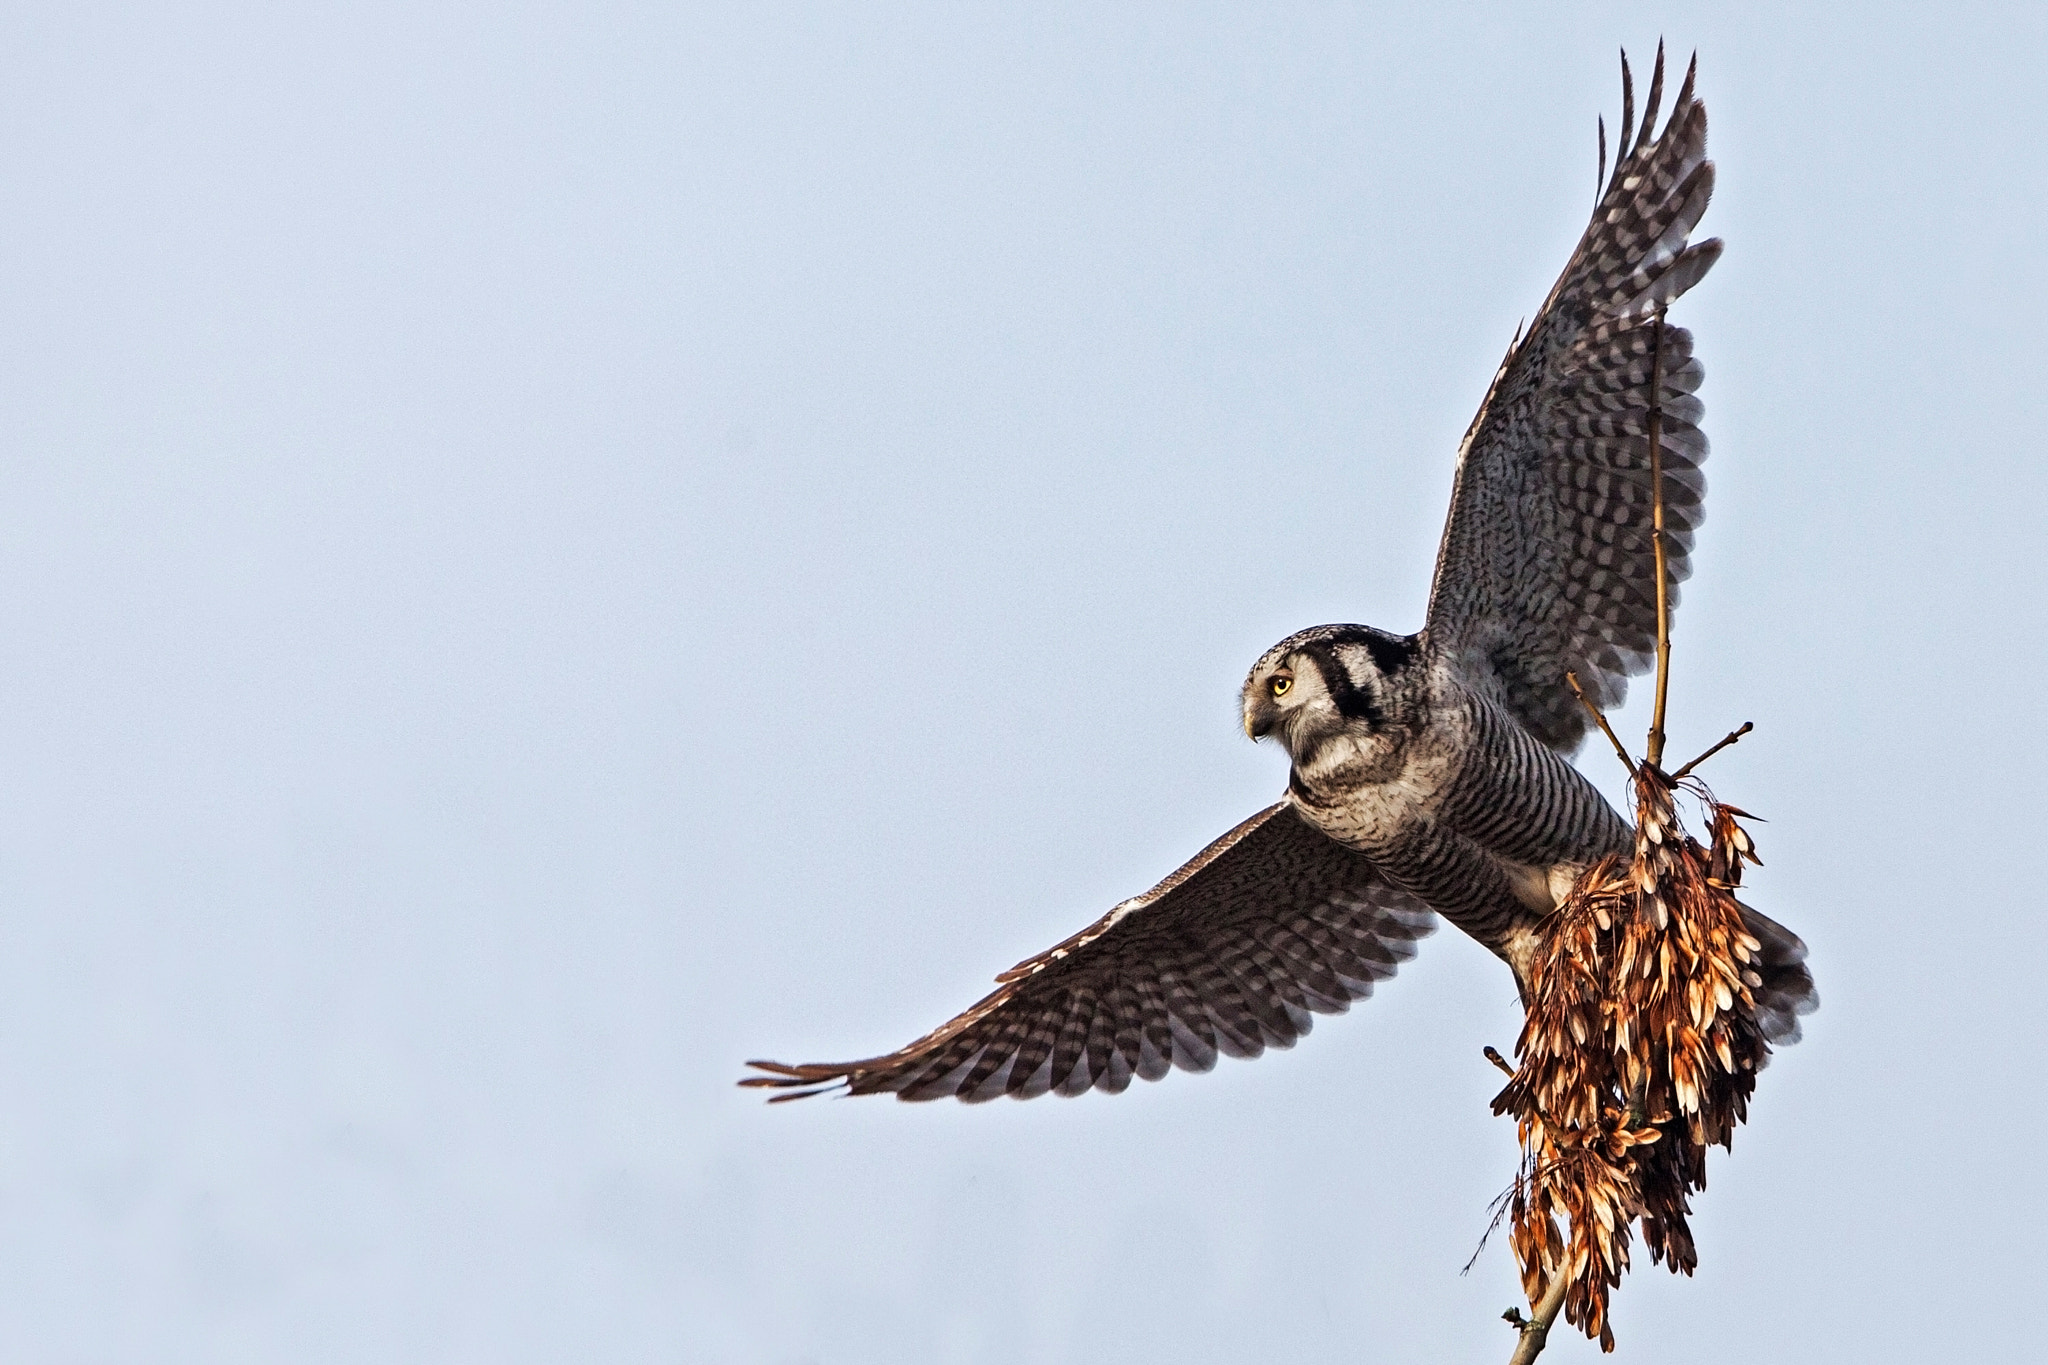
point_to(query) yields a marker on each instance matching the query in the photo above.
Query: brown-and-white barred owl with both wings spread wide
(1431, 773)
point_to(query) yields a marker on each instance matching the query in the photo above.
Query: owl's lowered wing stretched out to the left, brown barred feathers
(1263, 930)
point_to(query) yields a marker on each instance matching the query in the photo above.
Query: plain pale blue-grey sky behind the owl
(550, 549)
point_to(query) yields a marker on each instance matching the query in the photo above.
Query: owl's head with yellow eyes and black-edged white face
(1330, 680)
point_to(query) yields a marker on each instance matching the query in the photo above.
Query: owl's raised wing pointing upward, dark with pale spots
(1547, 562)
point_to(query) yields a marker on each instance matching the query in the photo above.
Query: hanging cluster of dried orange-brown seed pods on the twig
(1639, 1053)
